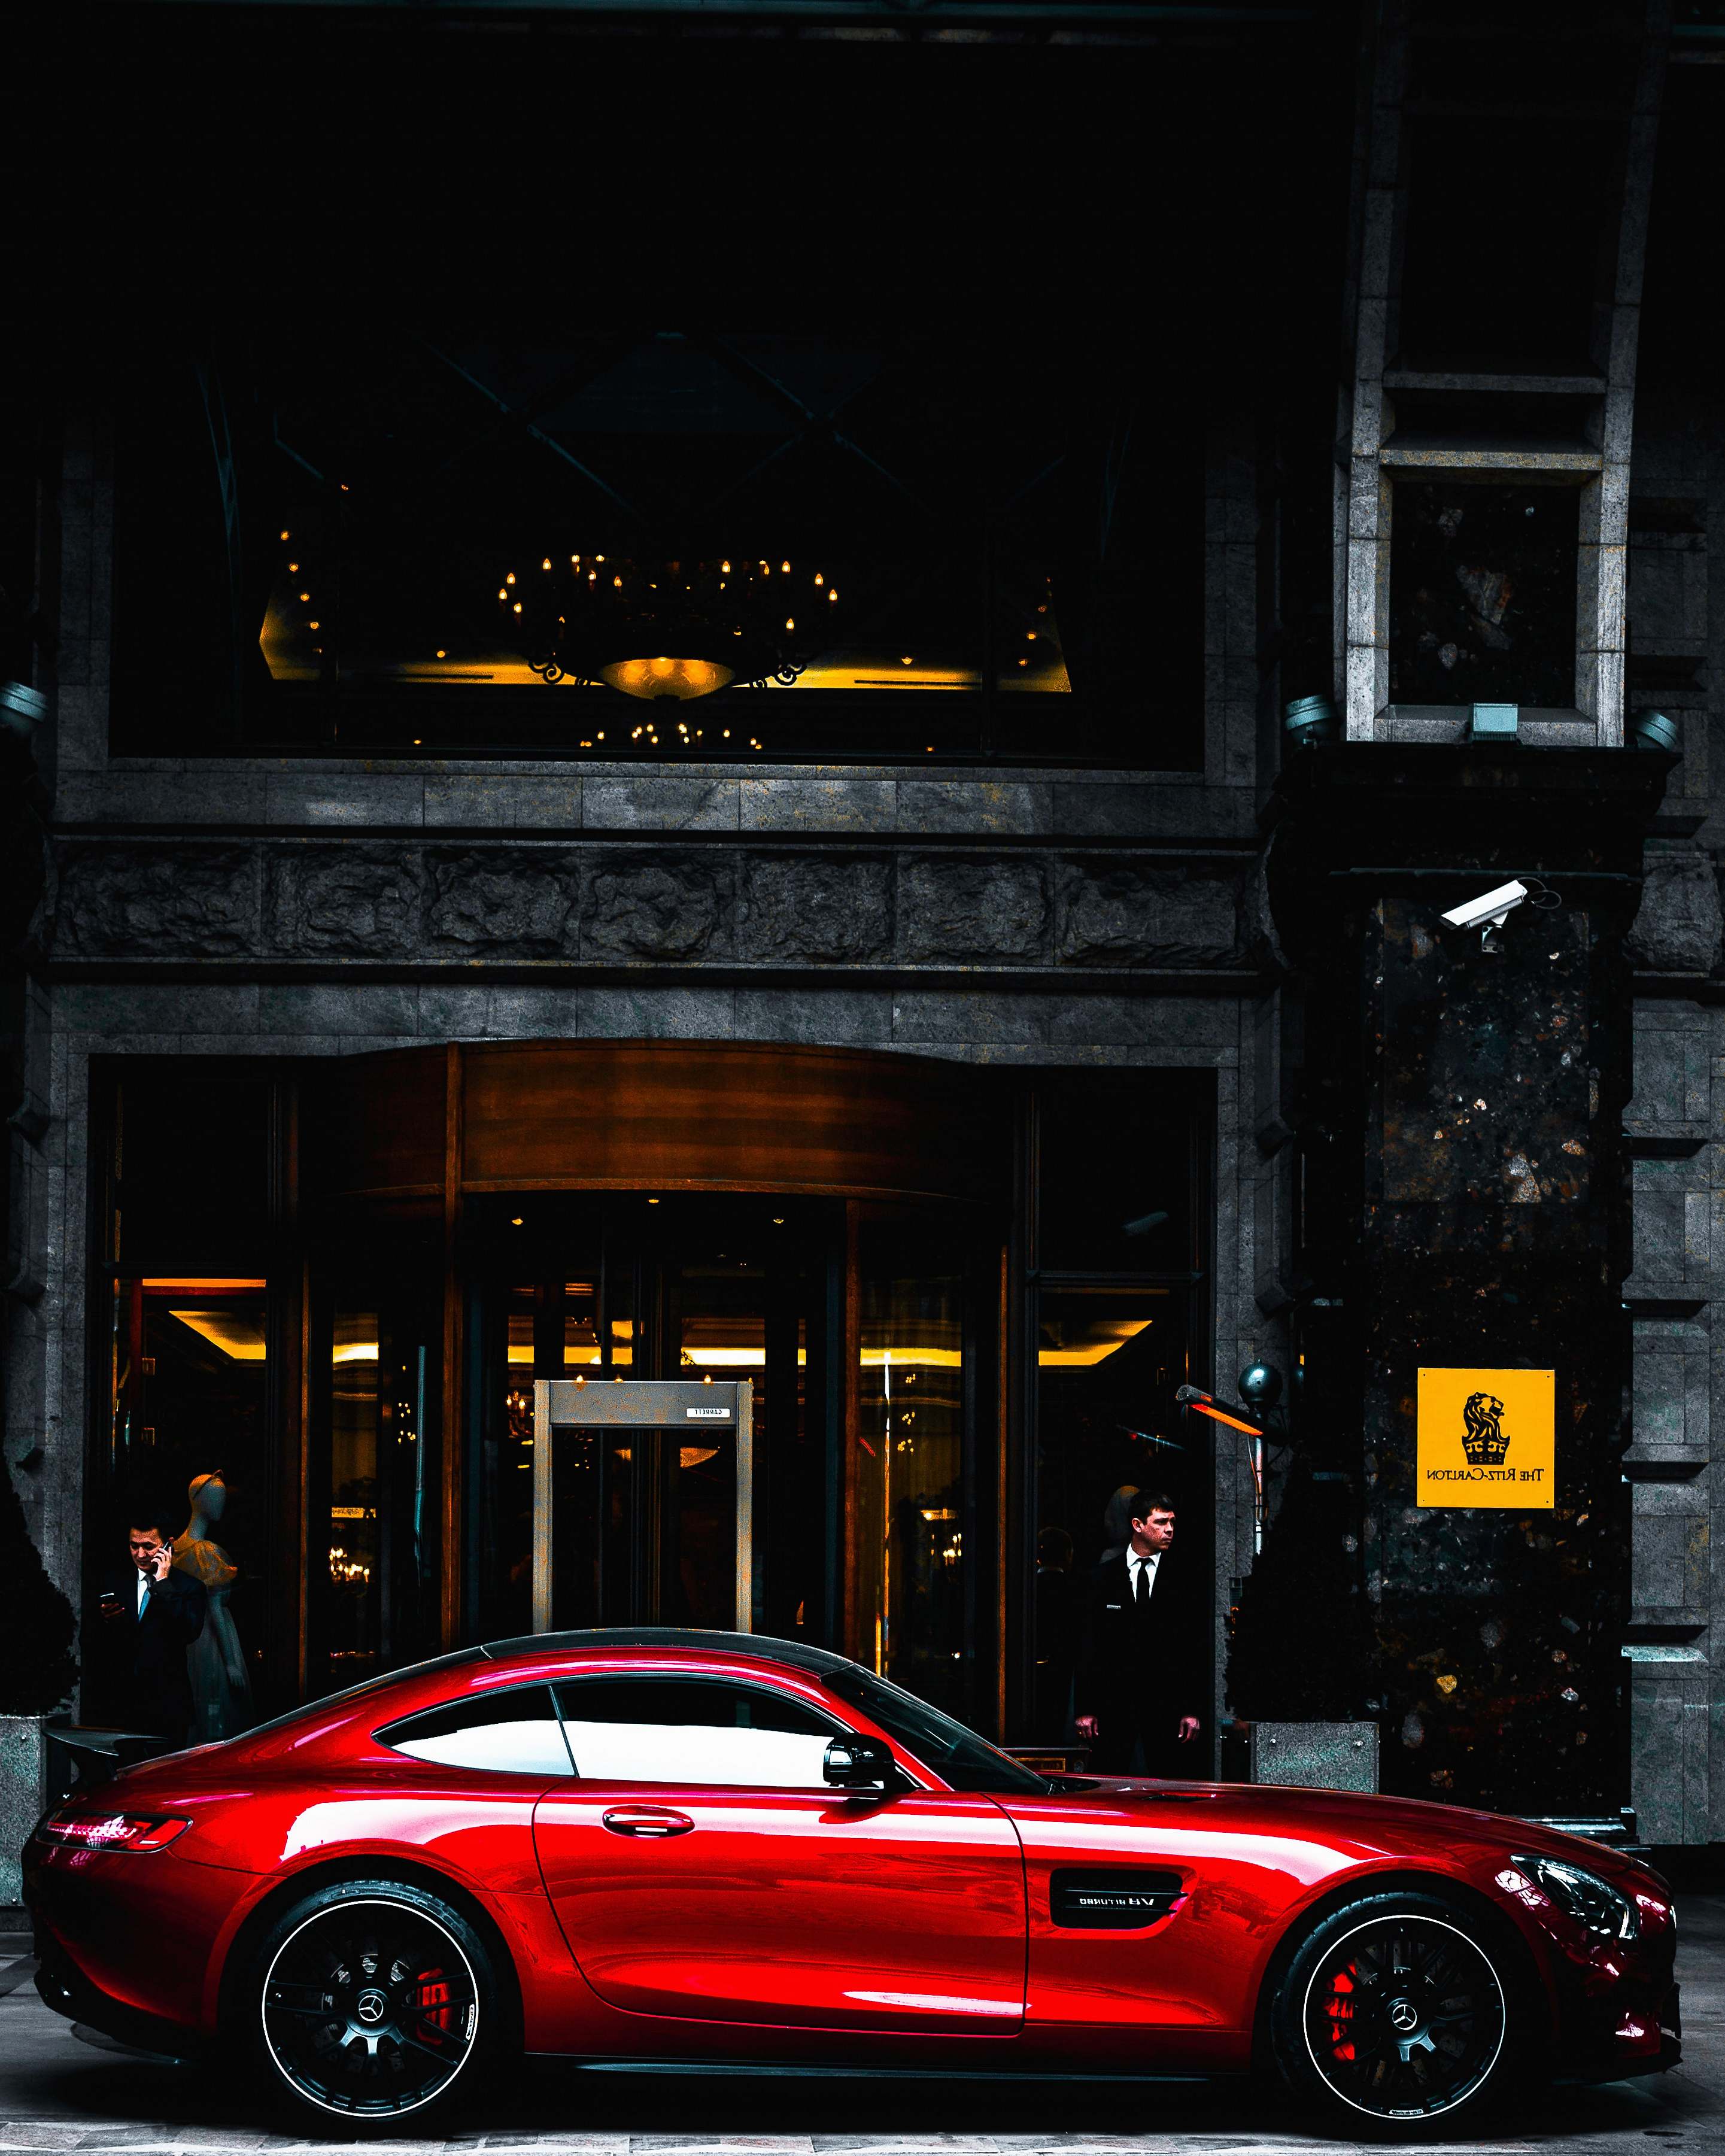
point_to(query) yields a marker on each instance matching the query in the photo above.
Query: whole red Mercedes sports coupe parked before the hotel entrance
(700, 1847)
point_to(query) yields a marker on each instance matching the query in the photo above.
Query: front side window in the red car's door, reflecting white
(695, 1732)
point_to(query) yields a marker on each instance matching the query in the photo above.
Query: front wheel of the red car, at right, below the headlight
(1403, 2015)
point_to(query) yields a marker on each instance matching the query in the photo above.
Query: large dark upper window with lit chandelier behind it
(443, 542)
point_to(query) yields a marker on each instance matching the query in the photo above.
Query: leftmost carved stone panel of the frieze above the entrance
(158, 902)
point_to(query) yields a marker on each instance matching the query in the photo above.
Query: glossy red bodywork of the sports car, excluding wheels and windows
(799, 1924)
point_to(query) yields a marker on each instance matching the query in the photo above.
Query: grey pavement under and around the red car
(61, 2095)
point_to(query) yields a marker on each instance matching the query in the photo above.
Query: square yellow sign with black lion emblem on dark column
(1487, 1437)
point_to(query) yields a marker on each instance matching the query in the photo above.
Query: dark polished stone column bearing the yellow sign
(1467, 1206)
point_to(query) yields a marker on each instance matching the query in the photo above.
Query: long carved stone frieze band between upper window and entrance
(674, 902)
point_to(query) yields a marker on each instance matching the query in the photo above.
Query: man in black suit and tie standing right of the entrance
(1140, 1672)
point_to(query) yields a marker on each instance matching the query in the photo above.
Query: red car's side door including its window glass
(702, 1868)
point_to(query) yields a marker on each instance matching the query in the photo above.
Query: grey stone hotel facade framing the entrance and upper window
(1262, 917)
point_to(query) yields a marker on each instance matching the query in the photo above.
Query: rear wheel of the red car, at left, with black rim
(370, 2002)
